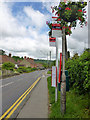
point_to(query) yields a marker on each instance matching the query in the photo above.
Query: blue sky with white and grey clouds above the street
(23, 29)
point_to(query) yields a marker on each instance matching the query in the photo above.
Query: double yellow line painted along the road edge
(10, 111)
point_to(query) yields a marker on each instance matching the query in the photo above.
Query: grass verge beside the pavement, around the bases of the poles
(76, 106)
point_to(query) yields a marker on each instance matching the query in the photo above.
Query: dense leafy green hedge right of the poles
(78, 68)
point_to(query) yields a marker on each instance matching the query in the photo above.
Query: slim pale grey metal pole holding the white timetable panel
(56, 91)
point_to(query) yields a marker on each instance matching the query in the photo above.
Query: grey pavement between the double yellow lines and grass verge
(37, 104)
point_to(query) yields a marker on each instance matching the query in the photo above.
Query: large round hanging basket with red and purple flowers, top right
(71, 12)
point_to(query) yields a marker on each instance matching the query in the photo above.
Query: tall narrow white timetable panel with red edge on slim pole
(54, 78)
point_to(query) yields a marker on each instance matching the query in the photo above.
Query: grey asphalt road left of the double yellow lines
(14, 87)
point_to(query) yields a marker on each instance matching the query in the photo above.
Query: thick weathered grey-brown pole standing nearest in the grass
(63, 83)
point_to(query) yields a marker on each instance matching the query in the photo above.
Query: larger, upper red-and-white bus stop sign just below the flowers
(56, 30)
